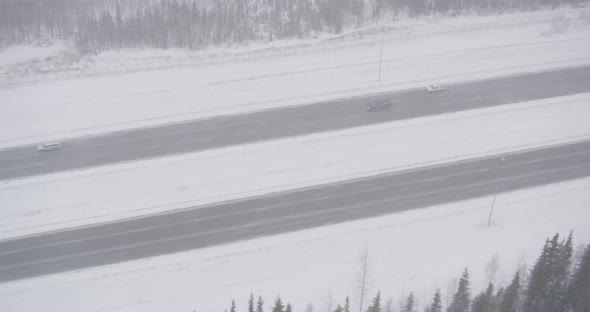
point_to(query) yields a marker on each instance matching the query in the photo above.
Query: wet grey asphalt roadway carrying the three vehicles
(285, 122)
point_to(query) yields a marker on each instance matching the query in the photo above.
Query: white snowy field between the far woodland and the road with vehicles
(444, 50)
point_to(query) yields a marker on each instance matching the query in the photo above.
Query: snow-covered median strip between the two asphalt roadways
(109, 193)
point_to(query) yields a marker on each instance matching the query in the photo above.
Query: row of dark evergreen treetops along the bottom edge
(558, 282)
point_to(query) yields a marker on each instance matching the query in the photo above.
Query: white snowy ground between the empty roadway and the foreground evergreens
(305, 266)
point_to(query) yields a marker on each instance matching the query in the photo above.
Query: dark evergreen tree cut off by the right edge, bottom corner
(578, 298)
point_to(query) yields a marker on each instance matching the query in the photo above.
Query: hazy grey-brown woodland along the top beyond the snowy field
(96, 25)
